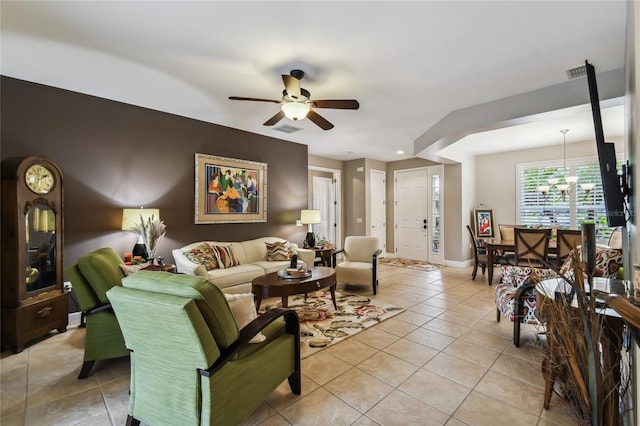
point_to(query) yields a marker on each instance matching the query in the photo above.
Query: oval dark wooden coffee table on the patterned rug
(271, 285)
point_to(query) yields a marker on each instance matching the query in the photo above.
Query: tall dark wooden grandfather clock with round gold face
(33, 298)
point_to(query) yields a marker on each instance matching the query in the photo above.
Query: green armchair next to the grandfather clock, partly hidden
(91, 277)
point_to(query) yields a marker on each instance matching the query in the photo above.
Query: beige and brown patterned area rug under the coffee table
(321, 325)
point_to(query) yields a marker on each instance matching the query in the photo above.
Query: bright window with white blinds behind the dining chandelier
(555, 209)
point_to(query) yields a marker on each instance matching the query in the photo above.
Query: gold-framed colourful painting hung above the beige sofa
(229, 190)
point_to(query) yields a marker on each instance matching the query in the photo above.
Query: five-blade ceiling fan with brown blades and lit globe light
(297, 103)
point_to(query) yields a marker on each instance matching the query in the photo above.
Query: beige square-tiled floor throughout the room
(445, 360)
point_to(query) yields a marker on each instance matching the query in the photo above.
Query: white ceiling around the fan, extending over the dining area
(409, 64)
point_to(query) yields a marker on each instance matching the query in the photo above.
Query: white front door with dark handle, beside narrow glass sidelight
(411, 213)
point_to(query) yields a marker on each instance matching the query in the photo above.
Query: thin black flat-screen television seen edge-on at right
(611, 188)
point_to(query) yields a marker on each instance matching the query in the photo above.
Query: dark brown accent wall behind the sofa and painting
(114, 155)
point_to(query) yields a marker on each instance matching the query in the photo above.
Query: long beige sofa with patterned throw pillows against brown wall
(253, 262)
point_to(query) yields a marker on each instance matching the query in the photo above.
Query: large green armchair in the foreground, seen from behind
(190, 365)
